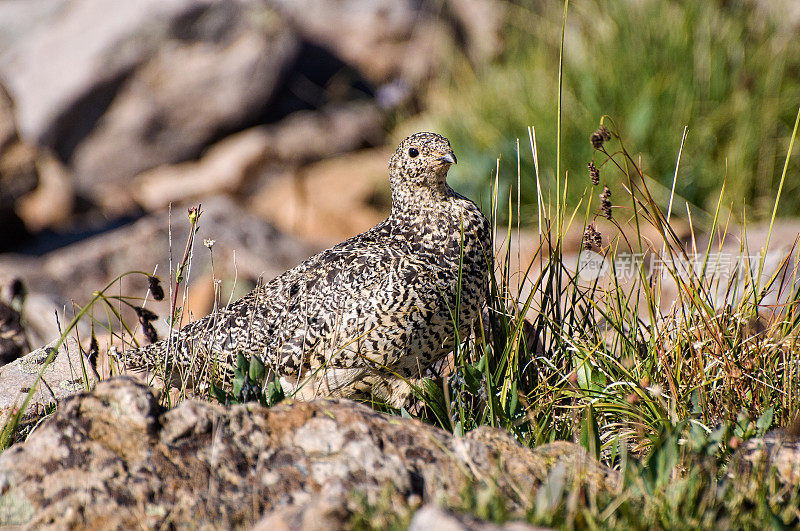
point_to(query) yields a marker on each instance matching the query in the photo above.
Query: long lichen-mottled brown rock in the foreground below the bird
(113, 456)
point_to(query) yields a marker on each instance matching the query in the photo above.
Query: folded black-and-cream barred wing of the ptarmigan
(358, 302)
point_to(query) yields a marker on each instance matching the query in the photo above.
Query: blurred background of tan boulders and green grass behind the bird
(279, 116)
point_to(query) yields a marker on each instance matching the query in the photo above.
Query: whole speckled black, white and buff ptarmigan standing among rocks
(365, 316)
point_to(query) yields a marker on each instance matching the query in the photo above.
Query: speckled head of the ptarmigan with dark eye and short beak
(421, 162)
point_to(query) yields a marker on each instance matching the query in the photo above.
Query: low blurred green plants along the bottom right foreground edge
(687, 481)
